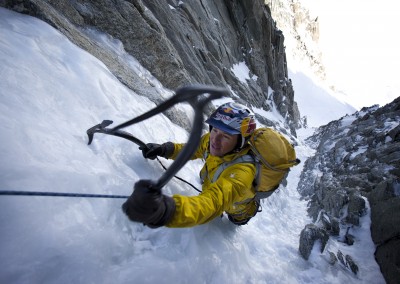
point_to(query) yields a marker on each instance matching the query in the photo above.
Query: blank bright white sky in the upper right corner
(359, 40)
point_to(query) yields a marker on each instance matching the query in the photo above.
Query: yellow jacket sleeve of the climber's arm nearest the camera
(232, 187)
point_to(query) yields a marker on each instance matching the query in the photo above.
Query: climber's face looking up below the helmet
(221, 142)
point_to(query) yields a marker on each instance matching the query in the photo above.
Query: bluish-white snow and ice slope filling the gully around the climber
(51, 92)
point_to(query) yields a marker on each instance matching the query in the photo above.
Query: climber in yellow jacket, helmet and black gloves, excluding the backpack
(230, 127)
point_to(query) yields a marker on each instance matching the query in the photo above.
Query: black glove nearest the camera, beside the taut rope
(148, 205)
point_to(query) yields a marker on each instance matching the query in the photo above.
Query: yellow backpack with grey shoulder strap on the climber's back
(273, 156)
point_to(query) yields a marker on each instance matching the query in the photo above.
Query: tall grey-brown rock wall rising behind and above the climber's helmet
(182, 43)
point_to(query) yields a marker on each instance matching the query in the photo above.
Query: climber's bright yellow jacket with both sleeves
(232, 192)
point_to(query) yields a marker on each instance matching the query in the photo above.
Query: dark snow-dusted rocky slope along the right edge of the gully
(358, 157)
